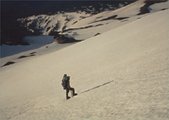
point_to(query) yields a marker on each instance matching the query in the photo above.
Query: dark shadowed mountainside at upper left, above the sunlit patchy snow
(12, 33)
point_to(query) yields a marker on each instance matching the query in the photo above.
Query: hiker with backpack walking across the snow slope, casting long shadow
(67, 87)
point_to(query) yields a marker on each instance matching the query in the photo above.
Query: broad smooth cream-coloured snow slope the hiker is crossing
(121, 74)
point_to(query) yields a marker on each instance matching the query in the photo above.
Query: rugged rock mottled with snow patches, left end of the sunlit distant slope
(44, 24)
